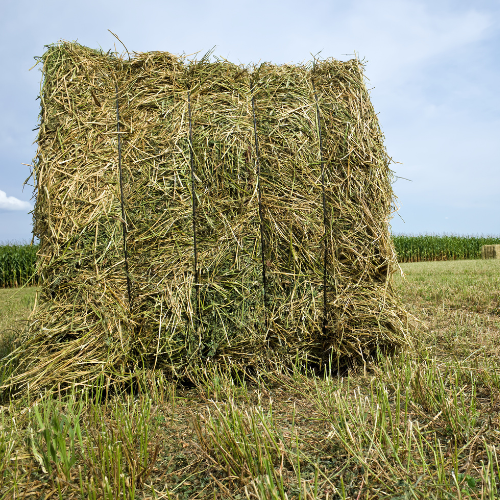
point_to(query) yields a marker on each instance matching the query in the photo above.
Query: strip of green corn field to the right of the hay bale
(426, 247)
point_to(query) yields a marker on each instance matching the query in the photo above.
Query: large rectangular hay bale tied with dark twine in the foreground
(196, 210)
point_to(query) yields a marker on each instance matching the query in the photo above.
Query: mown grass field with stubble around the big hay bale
(424, 424)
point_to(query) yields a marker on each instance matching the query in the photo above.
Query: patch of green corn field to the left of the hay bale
(17, 264)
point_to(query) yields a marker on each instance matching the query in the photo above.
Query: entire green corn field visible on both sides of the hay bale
(17, 261)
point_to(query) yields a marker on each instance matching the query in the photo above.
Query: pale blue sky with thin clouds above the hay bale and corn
(433, 70)
